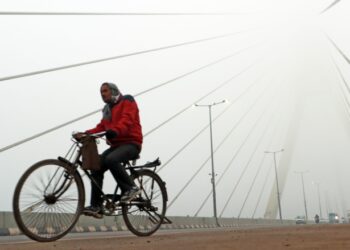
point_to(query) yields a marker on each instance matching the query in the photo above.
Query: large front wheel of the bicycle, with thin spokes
(48, 200)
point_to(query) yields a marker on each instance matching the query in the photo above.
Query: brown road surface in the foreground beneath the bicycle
(292, 237)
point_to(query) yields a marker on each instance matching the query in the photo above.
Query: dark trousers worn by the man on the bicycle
(111, 159)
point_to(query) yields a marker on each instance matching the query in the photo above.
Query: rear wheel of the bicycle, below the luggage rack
(145, 214)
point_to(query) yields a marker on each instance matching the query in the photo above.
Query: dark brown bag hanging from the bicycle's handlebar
(89, 152)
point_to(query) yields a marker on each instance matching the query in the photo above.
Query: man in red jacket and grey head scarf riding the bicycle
(124, 135)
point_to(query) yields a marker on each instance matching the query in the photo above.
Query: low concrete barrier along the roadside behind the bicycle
(8, 225)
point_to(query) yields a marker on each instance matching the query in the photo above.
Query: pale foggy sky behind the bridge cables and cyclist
(294, 66)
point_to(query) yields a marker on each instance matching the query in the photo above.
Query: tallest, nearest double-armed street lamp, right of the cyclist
(209, 106)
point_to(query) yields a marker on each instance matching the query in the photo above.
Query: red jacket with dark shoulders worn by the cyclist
(125, 121)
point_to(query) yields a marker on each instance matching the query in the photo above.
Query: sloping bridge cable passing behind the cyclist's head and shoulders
(99, 110)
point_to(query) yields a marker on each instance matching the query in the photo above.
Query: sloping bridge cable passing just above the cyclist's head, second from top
(121, 56)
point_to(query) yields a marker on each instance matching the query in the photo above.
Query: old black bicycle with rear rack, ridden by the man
(50, 196)
